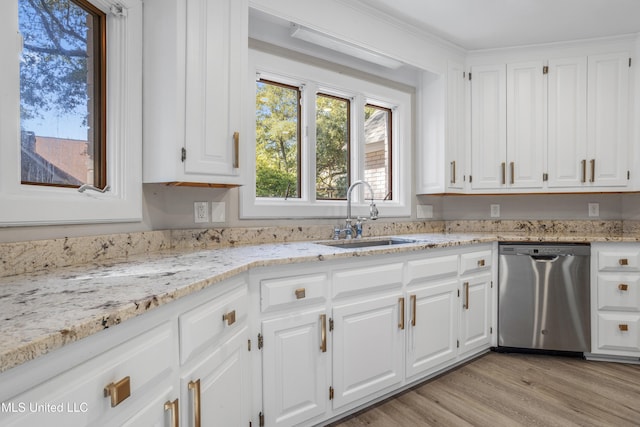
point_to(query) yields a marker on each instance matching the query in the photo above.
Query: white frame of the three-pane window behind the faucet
(313, 79)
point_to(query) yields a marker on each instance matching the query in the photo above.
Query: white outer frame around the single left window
(22, 205)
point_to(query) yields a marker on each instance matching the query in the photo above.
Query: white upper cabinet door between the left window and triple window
(214, 60)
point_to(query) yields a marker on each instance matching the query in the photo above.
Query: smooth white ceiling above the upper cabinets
(486, 24)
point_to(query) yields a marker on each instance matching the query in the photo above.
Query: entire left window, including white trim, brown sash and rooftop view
(66, 117)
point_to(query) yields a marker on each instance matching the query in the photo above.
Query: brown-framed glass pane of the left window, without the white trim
(62, 93)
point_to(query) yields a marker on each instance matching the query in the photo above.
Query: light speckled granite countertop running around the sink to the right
(45, 310)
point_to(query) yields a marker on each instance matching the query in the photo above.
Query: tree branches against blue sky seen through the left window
(53, 67)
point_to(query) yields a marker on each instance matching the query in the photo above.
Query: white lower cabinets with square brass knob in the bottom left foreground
(131, 374)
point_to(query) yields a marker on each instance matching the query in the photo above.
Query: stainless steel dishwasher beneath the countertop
(543, 297)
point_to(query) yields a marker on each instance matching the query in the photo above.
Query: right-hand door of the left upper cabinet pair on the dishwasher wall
(526, 124)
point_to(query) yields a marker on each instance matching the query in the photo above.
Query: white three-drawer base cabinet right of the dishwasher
(615, 300)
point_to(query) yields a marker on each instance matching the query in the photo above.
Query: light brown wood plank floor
(516, 390)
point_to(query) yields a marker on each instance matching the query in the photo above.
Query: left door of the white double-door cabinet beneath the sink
(368, 340)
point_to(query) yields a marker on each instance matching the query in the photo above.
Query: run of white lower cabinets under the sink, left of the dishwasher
(339, 335)
